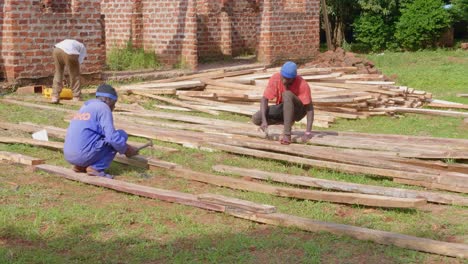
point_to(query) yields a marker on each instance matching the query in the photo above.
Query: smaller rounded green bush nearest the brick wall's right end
(372, 30)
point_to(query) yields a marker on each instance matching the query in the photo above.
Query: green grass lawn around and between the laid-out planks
(52, 220)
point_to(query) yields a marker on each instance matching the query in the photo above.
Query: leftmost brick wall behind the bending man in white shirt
(30, 28)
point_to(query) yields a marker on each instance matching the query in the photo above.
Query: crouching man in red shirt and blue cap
(293, 102)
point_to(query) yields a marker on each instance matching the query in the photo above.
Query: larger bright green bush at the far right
(421, 23)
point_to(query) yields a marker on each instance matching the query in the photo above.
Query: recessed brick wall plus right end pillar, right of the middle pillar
(276, 29)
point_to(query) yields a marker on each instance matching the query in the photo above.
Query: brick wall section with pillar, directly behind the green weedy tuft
(167, 27)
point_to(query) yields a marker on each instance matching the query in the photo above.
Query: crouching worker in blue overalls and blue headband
(92, 141)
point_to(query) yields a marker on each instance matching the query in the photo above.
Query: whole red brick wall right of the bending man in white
(180, 31)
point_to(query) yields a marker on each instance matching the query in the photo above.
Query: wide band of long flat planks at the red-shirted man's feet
(411, 160)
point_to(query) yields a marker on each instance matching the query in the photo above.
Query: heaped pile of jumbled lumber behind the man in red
(337, 93)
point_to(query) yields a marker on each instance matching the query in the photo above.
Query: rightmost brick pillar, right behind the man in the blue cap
(289, 30)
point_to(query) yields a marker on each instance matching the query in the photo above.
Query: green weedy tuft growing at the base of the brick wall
(131, 58)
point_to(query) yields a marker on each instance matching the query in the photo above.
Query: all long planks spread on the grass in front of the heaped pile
(405, 159)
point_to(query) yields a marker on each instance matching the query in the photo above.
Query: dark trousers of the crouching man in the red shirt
(289, 111)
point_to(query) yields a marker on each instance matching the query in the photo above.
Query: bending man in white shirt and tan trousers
(70, 53)
